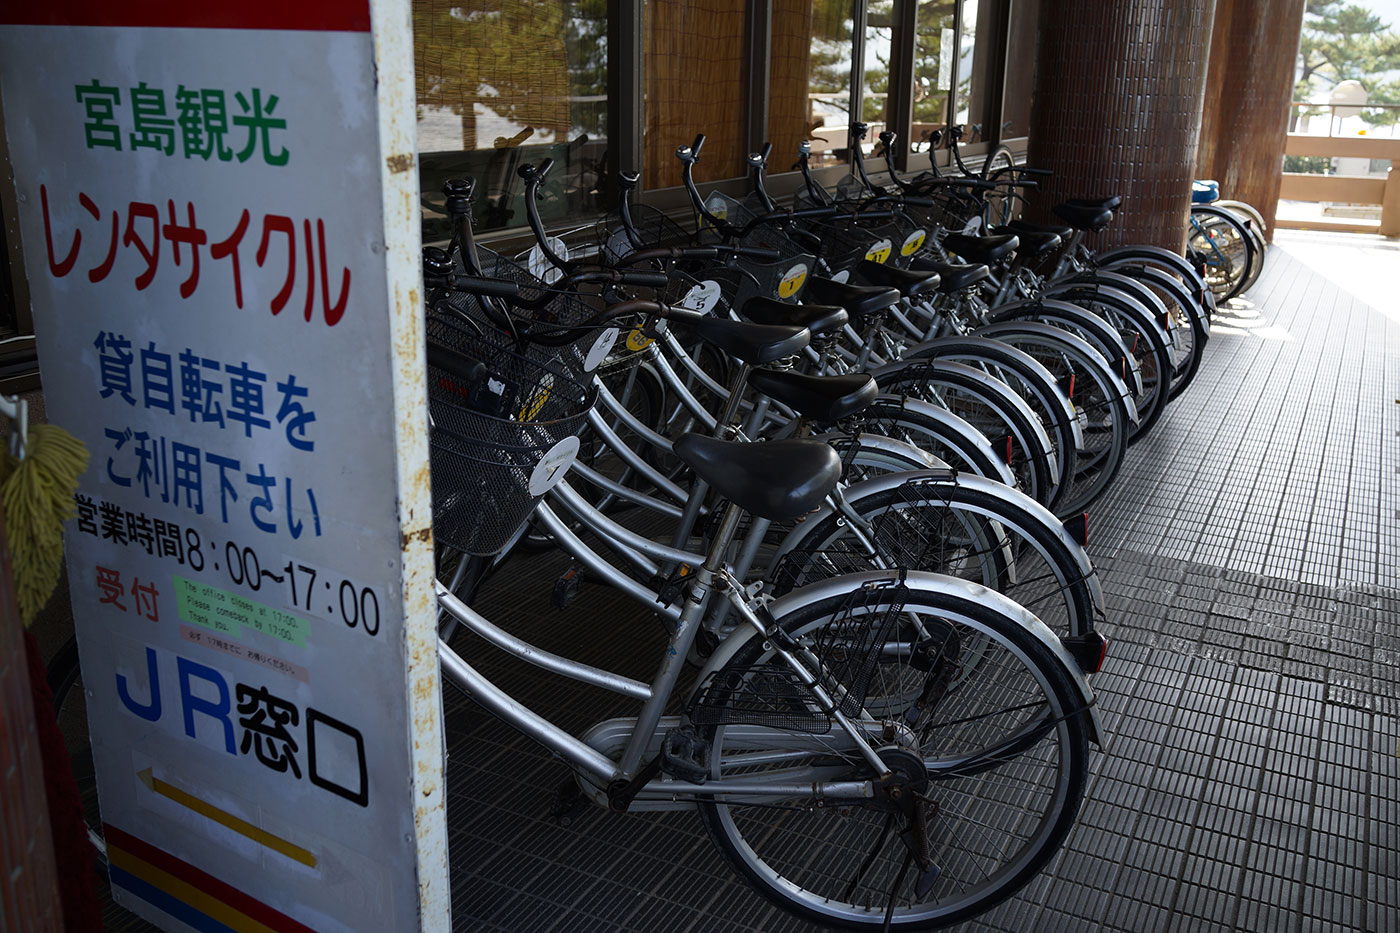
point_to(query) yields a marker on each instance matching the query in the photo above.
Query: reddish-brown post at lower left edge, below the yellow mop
(29, 886)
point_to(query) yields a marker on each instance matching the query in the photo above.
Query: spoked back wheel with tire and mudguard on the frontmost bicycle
(1016, 774)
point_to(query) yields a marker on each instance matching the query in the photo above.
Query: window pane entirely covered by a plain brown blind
(695, 69)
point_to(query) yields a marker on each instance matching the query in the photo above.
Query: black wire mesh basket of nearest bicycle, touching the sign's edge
(495, 420)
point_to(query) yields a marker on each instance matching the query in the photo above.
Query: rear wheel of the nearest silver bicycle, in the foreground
(995, 750)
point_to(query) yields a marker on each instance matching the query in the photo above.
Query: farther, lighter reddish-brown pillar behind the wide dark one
(1248, 90)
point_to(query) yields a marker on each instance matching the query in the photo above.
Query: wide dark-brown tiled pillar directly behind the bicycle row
(1118, 111)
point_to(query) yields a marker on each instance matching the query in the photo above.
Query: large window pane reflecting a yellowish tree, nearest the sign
(509, 82)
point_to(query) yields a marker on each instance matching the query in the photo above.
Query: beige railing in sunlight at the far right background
(1349, 190)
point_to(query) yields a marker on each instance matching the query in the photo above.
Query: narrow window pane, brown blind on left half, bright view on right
(810, 81)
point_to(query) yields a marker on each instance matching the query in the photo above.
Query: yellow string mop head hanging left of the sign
(37, 494)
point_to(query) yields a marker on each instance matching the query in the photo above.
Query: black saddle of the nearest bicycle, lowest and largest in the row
(776, 480)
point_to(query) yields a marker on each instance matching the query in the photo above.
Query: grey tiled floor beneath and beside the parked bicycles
(1252, 697)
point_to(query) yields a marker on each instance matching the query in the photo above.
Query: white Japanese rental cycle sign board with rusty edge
(219, 221)
